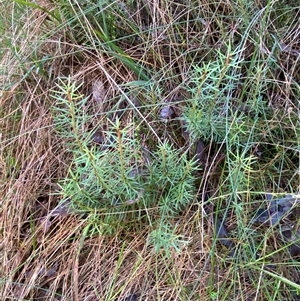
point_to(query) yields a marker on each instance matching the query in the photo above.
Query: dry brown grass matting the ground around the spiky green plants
(46, 257)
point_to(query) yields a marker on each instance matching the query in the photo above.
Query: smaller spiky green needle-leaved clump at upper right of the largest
(211, 86)
